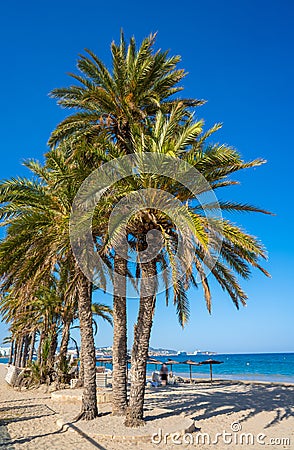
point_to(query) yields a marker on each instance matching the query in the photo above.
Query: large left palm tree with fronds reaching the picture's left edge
(37, 214)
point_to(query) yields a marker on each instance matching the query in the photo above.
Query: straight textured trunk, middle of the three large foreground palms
(119, 348)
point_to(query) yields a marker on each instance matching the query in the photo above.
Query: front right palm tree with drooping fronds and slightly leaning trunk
(185, 141)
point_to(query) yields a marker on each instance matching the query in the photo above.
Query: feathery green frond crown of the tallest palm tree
(141, 82)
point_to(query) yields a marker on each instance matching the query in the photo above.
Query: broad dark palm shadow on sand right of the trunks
(222, 401)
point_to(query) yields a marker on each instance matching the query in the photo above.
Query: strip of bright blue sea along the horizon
(271, 367)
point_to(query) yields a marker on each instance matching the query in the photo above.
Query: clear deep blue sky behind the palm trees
(239, 56)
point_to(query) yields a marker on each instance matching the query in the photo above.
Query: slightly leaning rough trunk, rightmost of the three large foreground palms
(142, 331)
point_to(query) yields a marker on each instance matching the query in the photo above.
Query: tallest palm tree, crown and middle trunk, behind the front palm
(106, 106)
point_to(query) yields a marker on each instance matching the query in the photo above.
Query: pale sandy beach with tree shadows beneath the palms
(227, 415)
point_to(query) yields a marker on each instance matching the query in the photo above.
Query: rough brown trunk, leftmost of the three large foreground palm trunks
(89, 400)
